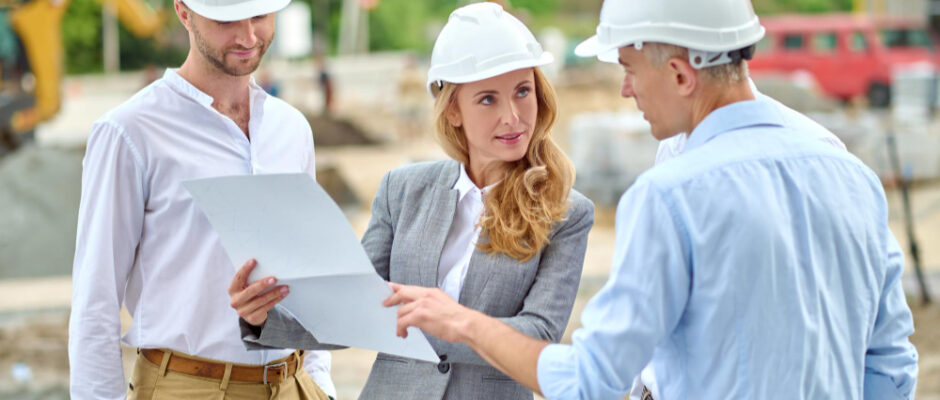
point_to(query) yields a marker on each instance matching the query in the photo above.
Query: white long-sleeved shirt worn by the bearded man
(143, 243)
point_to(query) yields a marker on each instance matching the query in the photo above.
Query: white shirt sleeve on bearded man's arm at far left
(109, 227)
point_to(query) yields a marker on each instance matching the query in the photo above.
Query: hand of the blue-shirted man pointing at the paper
(431, 310)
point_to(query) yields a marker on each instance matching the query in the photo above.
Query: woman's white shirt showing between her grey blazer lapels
(462, 237)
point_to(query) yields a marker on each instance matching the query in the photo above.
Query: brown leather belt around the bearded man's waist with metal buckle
(275, 372)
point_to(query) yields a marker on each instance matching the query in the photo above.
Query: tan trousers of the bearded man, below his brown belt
(150, 381)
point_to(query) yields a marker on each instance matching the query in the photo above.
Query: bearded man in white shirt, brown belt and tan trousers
(143, 243)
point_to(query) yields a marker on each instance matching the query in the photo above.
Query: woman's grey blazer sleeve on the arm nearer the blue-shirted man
(547, 306)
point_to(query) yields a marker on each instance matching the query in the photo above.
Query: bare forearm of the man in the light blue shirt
(505, 348)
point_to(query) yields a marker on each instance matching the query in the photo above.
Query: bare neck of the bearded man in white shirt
(226, 90)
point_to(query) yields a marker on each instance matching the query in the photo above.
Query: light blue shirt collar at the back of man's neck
(732, 117)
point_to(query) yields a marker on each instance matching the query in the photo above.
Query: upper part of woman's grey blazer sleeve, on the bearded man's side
(378, 238)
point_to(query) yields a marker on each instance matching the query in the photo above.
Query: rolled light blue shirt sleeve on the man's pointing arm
(641, 302)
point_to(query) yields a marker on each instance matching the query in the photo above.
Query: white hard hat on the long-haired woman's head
(480, 41)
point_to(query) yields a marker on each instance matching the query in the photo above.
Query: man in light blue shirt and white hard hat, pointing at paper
(757, 264)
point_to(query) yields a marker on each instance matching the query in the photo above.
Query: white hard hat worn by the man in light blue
(708, 28)
